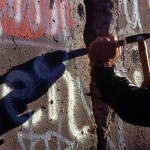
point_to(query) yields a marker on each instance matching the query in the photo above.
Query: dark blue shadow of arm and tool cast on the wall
(26, 83)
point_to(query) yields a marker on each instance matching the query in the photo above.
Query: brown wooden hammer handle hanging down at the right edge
(144, 59)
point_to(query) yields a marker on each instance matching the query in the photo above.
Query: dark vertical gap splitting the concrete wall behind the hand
(98, 21)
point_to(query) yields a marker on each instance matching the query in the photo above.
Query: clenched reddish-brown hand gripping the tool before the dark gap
(104, 49)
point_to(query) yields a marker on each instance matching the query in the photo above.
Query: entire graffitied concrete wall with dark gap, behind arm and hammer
(43, 91)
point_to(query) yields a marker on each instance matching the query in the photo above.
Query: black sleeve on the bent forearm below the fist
(130, 102)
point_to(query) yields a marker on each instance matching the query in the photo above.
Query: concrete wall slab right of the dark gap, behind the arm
(132, 19)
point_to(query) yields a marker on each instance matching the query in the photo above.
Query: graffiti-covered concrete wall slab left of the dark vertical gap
(43, 104)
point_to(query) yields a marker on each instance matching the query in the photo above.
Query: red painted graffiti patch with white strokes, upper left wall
(32, 19)
